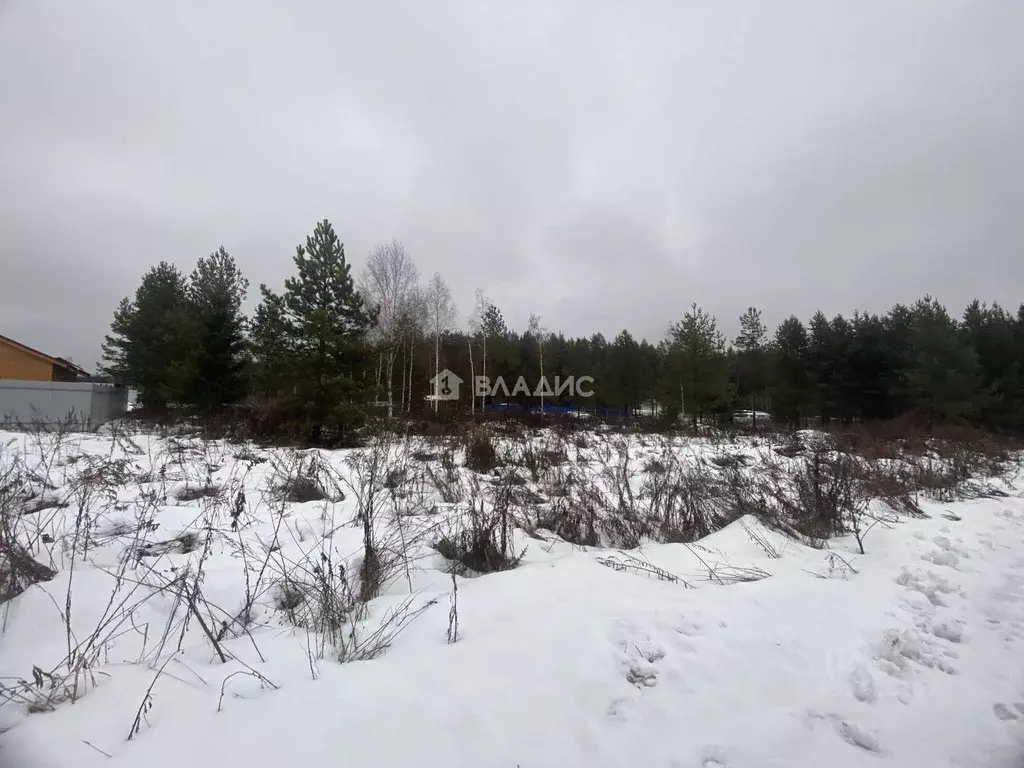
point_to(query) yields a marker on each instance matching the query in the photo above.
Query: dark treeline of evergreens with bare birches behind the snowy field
(331, 348)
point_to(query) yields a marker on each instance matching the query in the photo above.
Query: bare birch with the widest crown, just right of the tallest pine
(389, 284)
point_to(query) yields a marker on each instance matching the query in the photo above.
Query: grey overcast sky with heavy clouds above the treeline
(602, 163)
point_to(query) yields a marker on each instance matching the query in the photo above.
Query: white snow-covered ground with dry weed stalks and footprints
(746, 650)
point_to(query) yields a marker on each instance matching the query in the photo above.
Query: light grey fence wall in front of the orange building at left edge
(86, 404)
